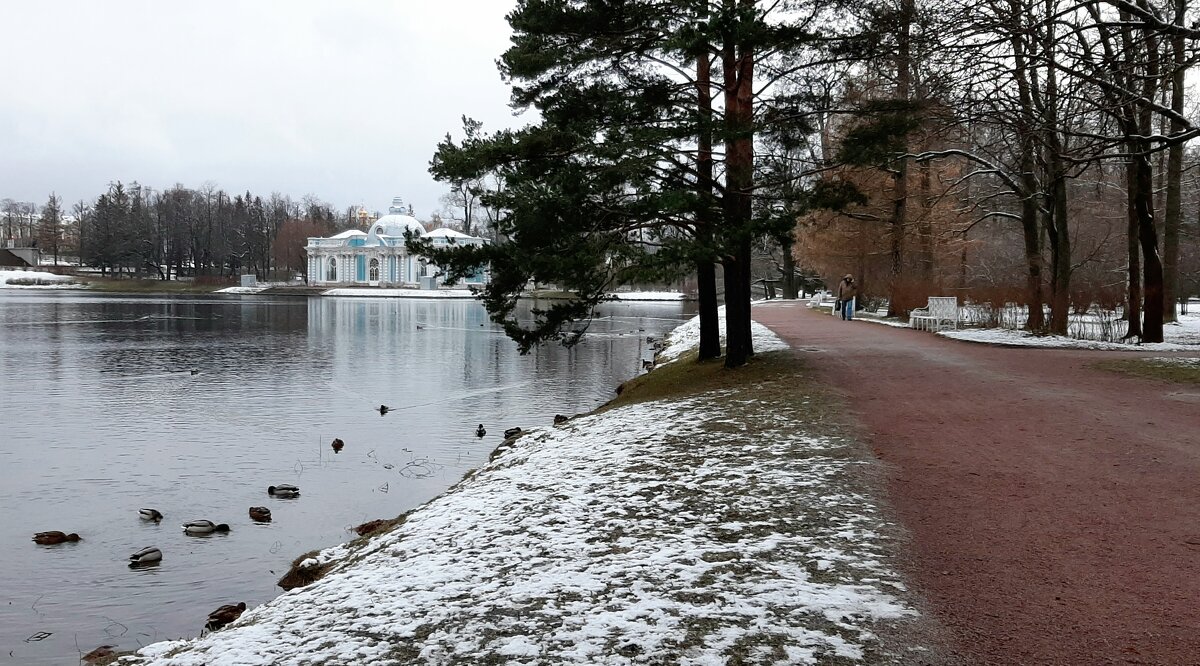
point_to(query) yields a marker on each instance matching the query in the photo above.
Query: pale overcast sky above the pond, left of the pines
(341, 99)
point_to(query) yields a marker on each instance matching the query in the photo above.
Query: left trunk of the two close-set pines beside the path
(706, 271)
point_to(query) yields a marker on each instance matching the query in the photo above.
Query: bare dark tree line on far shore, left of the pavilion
(196, 232)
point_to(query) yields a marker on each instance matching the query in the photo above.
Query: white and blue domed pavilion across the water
(379, 257)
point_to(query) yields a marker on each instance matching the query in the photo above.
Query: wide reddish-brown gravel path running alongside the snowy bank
(1054, 509)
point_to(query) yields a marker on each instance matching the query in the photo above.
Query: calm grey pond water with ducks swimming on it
(101, 415)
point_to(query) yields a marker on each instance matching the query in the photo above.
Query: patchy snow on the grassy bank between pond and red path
(652, 533)
